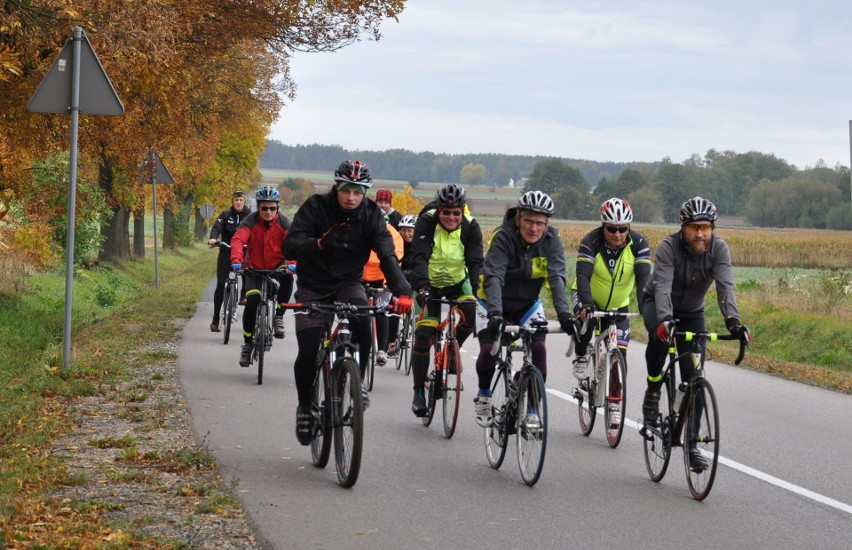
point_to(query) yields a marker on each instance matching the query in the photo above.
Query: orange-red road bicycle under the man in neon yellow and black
(444, 379)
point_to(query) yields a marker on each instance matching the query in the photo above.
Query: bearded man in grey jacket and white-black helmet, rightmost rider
(685, 264)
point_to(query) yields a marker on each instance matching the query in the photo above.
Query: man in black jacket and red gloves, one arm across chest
(331, 238)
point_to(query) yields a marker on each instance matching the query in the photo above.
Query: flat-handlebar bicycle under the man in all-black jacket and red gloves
(337, 405)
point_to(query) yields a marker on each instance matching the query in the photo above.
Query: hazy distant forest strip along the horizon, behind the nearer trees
(404, 165)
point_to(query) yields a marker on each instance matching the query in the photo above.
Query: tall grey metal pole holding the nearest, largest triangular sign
(72, 197)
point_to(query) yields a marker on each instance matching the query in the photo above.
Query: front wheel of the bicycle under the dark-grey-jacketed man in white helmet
(532, 425)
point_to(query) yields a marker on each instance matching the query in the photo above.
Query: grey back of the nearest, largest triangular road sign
(97, 95)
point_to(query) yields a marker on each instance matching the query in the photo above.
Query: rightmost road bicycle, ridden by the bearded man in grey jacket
(688, 417)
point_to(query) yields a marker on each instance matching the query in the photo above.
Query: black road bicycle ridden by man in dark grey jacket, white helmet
(511, 392)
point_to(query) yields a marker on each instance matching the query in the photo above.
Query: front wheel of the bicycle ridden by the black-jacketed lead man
(349, 421)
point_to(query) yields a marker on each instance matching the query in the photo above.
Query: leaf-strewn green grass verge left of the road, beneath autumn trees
(117, 319)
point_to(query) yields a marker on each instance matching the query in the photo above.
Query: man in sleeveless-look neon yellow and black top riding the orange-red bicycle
(446, 261)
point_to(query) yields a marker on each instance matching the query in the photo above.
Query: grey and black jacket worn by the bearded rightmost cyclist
(681, 278)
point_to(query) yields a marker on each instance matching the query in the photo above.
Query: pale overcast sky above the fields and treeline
(621, 80)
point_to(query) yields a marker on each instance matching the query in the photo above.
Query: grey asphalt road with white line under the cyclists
(784, 481)
